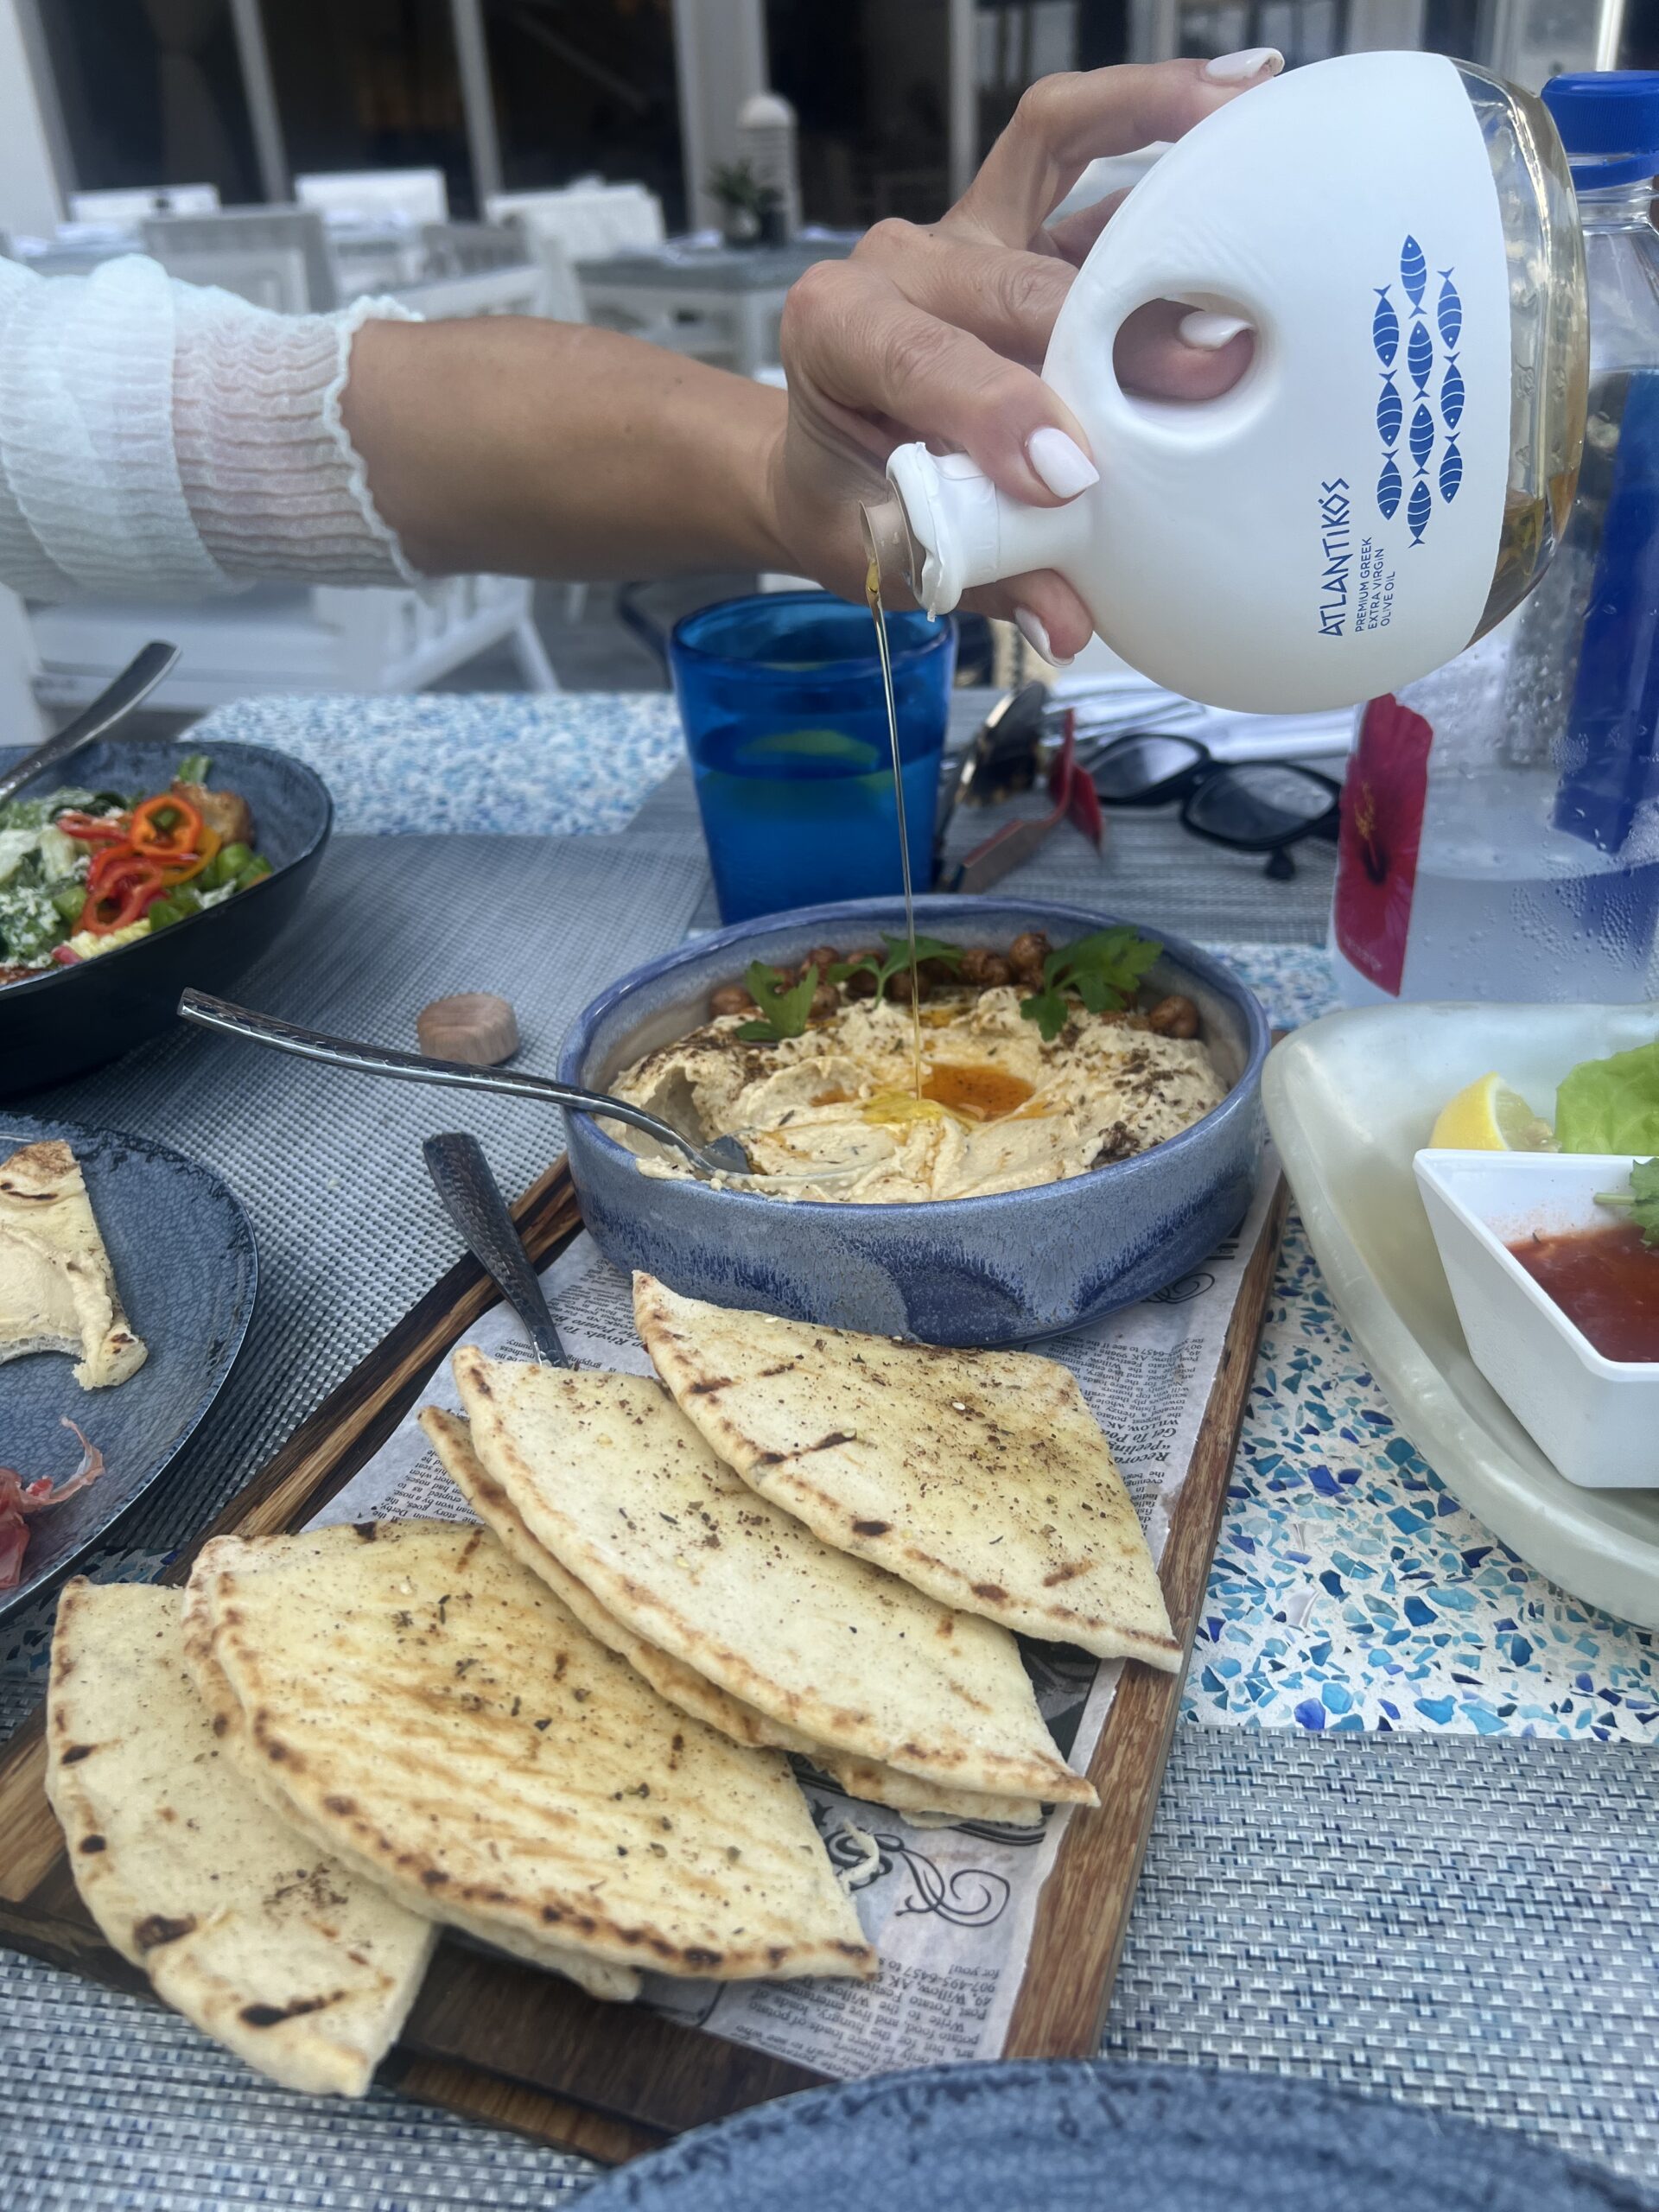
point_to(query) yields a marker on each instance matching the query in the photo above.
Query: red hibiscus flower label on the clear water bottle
(1377, 859)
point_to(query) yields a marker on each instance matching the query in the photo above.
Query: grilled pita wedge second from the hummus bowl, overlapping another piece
(618, 1485)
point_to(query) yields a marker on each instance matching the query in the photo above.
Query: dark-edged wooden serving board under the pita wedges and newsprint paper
(530, 2052)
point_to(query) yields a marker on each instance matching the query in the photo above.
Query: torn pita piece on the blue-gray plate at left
(56, 1282)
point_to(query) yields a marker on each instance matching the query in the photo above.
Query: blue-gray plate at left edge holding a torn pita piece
(187, 1271)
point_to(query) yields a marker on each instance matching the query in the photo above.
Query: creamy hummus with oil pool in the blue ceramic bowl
(833, 1114)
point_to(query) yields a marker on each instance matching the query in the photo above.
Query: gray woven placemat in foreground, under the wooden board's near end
(1457, 1923)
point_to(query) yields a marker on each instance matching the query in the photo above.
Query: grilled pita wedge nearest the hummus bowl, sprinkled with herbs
(979, 1477)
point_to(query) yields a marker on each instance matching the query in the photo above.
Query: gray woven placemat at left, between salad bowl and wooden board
(328, 1165)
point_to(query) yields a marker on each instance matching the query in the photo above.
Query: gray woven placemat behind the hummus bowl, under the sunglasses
(1151, 873)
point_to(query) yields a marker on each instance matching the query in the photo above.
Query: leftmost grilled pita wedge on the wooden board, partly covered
(269, 1945)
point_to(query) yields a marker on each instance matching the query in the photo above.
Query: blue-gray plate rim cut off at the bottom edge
(1096, 2138)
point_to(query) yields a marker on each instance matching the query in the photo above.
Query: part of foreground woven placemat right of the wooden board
(1459, 1921)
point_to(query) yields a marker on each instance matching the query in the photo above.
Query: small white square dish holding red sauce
(1596, 1419)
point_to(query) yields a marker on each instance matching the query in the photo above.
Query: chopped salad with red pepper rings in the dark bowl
(85, 873)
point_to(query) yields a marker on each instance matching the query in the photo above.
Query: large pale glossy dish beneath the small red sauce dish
(1350, 1103)
